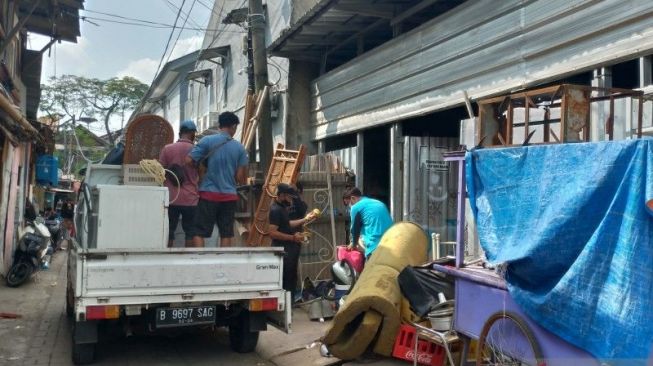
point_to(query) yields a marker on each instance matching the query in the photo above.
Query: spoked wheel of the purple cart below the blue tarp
(507, 340)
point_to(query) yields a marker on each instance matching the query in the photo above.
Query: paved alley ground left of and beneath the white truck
(42, 335)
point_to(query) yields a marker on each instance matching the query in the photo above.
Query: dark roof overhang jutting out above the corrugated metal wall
(332, 27)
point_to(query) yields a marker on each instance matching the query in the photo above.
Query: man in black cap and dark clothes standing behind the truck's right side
(283, 234)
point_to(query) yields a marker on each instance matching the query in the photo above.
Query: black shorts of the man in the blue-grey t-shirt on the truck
(209, 213)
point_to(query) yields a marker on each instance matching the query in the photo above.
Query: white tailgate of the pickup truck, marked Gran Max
(188, 274)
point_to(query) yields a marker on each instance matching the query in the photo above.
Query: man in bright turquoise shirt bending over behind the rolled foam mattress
(370, 219)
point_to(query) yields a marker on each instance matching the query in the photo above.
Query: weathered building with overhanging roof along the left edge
(22, 138)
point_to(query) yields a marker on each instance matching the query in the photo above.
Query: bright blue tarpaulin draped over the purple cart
(570, 221)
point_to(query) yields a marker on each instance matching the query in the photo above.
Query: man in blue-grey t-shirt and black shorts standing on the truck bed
(226, 166)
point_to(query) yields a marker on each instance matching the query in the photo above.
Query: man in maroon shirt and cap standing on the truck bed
(183, 199)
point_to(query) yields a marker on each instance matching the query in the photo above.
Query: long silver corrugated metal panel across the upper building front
(483, 47)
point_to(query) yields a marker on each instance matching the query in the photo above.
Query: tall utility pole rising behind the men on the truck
(257, 26)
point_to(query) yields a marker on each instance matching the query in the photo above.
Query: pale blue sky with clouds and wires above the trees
(109, 49)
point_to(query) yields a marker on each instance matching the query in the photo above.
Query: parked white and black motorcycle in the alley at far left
(33, 252)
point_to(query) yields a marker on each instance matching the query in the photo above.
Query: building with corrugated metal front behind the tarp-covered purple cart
(387, 81)
